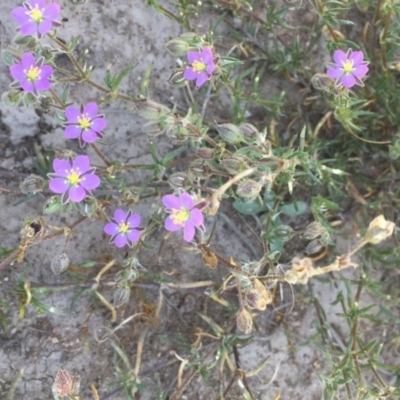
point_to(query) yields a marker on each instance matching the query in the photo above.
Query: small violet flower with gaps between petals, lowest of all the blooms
(123, 228)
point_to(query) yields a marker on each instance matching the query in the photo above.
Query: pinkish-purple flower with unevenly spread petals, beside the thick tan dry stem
(183, 214)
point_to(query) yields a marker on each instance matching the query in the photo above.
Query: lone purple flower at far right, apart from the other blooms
(350, 67)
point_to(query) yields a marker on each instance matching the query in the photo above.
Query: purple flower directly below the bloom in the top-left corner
(31, 74)
